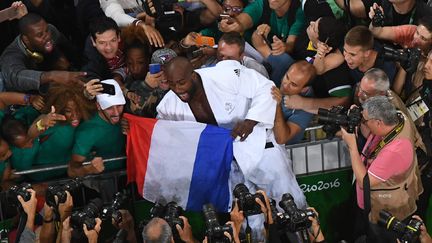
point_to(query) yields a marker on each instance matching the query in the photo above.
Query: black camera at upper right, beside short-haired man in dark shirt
(408, 58)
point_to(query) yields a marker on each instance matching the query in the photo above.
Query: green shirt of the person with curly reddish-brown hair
(55, 148)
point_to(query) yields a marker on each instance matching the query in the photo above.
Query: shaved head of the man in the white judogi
(181, 78)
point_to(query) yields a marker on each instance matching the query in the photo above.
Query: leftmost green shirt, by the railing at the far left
(23, 158)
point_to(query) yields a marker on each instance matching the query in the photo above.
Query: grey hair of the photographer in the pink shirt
(381, 108)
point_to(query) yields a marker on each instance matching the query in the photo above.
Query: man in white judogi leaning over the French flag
(232, 96)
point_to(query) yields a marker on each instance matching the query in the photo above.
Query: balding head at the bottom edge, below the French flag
(162, 227)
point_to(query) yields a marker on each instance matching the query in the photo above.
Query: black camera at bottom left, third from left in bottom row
(87, 215)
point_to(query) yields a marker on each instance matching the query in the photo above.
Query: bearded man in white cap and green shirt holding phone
(100, 136)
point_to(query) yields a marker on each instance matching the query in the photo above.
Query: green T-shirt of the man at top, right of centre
(280, 27)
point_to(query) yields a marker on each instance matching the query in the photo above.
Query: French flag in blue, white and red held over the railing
(181, 161)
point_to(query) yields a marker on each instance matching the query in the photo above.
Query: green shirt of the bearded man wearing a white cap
(98, 138)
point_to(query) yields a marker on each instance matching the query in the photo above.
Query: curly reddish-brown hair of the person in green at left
(59, 95)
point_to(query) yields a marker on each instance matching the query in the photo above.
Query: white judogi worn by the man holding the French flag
(236, 93)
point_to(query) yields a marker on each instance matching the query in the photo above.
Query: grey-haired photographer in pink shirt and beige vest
(390, 163)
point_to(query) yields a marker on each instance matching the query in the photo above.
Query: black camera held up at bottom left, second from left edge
(60, 192)
